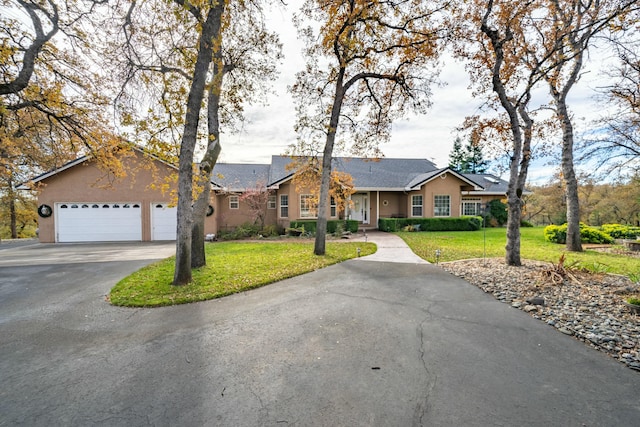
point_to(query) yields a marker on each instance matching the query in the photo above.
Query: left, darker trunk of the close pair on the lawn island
(210, 29)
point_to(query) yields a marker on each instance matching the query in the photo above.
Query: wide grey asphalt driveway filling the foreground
(356, 344)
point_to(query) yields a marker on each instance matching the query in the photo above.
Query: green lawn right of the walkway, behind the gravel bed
(471, 244)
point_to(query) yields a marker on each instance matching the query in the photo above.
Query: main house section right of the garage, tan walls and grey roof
(384, 188)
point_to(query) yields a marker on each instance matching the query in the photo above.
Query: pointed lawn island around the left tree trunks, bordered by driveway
(231, 267)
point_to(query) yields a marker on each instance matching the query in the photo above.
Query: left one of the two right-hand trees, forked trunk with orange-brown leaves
(493, 43)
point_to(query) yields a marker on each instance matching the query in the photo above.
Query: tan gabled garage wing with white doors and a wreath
(81, 202)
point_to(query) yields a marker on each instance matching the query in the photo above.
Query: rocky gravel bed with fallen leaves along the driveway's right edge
(590, 307)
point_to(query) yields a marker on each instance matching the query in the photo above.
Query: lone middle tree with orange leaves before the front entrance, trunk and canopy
(368, 63)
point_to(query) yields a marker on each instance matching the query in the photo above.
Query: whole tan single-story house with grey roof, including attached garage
(76, 206)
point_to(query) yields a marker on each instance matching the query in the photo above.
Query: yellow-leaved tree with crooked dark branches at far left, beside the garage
(52, 108)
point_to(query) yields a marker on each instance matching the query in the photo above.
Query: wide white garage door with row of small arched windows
(98, 222)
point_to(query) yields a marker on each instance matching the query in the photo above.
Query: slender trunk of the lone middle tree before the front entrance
(325, 180)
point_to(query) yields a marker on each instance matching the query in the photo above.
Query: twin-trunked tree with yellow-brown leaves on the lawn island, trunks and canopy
(216, 54)
